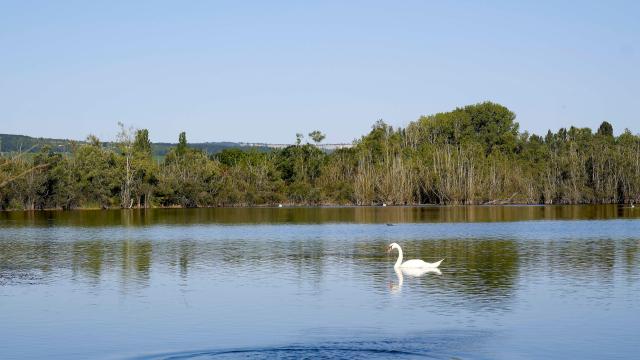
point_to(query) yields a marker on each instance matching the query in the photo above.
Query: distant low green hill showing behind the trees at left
(15, 143)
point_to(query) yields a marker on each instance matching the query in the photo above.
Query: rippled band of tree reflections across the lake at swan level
(486, 271)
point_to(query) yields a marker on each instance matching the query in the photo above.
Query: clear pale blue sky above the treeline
(264, 70)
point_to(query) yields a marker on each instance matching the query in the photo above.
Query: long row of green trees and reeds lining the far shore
(472, 155)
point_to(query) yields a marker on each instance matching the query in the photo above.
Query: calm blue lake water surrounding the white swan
(518, 282)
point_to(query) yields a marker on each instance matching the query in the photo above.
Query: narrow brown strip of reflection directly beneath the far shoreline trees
(145, 217)
